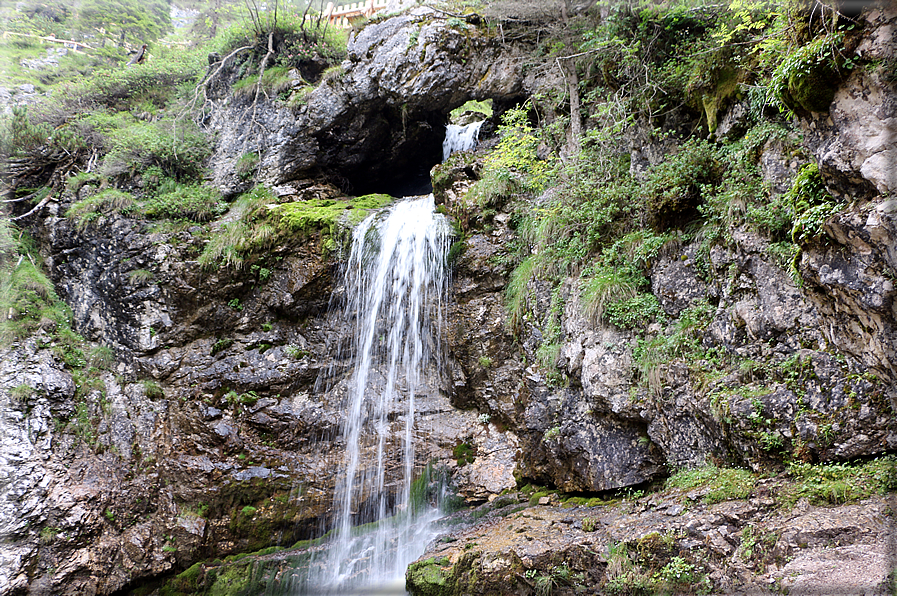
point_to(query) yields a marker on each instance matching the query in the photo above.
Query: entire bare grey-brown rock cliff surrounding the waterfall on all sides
(214, 429)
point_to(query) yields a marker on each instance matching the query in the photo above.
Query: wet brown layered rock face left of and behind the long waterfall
(215, 428)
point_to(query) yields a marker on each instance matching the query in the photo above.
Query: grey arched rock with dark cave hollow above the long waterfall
(379, 118)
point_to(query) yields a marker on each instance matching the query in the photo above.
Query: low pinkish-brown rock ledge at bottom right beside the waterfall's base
(671, 541)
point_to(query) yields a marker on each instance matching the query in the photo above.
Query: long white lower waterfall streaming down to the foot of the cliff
(395, 280)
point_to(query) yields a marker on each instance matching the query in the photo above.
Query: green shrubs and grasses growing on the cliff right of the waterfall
(660, 78)
